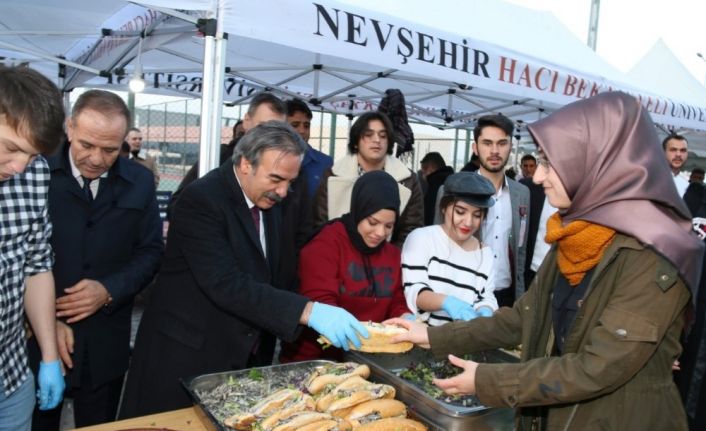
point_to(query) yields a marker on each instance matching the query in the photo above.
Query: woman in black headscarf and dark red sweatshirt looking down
(349, 263)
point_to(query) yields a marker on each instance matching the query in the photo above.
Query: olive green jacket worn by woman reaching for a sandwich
(616, 369)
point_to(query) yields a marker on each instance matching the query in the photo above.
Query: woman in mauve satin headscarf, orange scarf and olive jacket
(600, 324)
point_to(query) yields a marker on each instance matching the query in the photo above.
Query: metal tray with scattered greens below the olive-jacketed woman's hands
(441, 415)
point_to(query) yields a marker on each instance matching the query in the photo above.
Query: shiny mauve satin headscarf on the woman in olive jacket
(607, 154)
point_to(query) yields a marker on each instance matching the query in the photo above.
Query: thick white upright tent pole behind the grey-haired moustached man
(211, 96)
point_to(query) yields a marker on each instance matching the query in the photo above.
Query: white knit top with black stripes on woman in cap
(432, 260)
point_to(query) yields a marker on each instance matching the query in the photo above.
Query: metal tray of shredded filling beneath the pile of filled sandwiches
(209, 382)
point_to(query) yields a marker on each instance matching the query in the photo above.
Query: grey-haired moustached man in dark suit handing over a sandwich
(218, 304)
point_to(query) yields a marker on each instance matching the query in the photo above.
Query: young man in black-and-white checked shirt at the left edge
(31, 118)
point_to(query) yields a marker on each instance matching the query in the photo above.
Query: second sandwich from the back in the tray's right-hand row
(351, 392)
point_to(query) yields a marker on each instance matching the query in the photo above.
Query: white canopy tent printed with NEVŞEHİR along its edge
(335, 55)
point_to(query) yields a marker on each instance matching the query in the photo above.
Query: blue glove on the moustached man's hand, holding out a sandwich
(336, 324)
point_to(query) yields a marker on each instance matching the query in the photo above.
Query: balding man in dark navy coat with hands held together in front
(107, 240)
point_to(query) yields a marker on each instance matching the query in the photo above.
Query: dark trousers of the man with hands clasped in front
(92, 406)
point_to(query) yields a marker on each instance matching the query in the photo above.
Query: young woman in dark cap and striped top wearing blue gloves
(448, 273)
